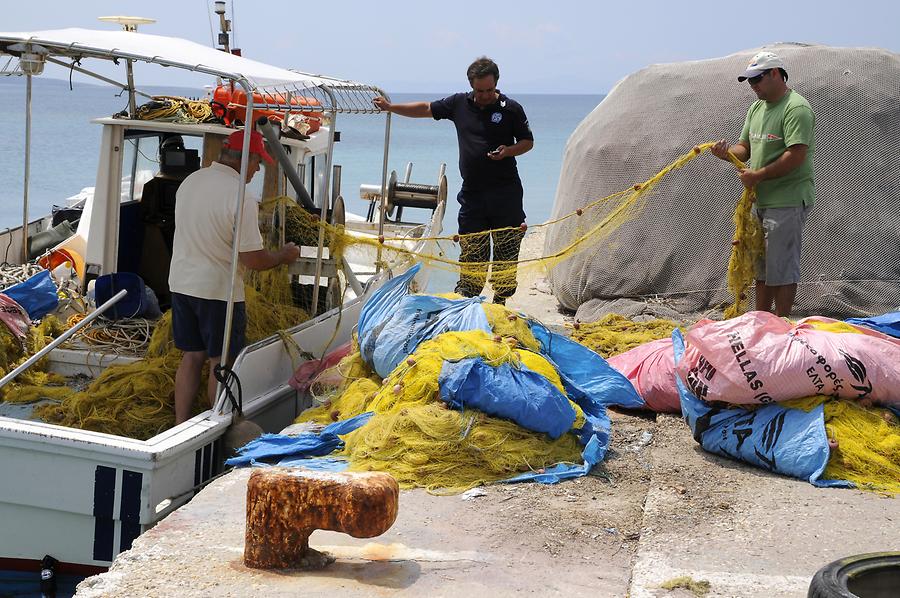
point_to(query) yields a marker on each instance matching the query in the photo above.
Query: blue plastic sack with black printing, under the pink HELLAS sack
(788, 441)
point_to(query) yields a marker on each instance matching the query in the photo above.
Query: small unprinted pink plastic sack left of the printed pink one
(651, 370)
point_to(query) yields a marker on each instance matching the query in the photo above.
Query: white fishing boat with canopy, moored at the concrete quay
(82, 496)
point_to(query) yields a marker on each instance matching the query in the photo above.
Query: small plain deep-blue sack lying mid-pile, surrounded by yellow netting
(516, 394)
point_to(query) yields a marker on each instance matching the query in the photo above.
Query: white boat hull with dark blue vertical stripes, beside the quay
(83, 496)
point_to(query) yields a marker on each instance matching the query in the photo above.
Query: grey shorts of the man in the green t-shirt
(783, 233)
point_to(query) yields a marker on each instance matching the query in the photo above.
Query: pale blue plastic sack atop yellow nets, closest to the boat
(393, 323)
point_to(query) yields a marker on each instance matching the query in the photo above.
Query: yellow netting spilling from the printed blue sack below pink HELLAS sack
(866, 443)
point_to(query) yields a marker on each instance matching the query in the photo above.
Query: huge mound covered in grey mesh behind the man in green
(678, 247)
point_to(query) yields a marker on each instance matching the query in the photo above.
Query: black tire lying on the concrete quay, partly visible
(872, 575)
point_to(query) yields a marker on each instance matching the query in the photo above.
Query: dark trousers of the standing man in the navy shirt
(481, 211)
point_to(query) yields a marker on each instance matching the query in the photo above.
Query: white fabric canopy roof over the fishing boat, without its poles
(180, 53)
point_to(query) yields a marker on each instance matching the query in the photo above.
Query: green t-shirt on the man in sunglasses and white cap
(771, 128)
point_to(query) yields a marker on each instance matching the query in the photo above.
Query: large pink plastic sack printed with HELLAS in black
(759, 358)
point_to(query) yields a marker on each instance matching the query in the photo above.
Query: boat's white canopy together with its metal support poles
(260, 81)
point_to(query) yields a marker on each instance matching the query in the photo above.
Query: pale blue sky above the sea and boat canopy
(541, 47)
